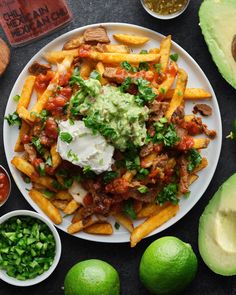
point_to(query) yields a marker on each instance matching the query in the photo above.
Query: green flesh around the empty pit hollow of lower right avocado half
(216, 258)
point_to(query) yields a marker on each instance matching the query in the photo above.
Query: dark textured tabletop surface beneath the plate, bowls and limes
(186, 32)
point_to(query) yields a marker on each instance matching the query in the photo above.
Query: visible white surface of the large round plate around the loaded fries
(196, 79)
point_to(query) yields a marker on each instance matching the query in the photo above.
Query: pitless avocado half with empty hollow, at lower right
(217, 230)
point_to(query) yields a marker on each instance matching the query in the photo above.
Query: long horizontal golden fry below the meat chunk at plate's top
(119, 57)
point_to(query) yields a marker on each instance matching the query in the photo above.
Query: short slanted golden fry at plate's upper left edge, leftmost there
(26, 93)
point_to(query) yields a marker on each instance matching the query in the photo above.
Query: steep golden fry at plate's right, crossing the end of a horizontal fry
(178, 95)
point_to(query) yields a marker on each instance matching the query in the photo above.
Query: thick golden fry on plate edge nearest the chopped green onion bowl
(46, 206)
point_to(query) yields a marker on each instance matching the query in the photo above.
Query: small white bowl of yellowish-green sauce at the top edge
(163, 9)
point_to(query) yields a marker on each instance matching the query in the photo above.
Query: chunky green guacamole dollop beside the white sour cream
(114, 114)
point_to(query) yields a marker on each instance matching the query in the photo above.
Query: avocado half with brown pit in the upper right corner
(218, 24)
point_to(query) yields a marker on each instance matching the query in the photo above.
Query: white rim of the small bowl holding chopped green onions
(46, 274)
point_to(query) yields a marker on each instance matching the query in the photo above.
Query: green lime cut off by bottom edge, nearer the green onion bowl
(92, 277)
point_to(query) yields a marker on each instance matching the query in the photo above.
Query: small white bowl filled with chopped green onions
(30, 248)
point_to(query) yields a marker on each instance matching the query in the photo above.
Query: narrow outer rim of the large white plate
(125, 237)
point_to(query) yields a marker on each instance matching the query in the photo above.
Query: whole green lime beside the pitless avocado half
(167, 266)
